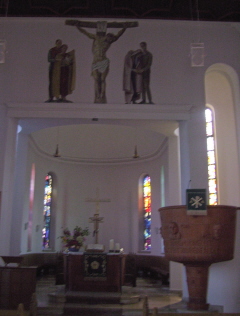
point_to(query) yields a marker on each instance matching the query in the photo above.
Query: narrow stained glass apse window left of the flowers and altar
(47, 212)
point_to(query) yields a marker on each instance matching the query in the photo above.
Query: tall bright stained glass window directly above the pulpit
(211, 154)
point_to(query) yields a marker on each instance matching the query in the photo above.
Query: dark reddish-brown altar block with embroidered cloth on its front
(94, 272)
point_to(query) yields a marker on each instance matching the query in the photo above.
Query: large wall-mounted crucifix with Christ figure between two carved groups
(101, 43)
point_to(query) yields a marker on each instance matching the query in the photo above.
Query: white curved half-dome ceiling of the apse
(95, 141)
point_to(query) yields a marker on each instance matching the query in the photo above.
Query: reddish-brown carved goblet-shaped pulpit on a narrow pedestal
(197, 242)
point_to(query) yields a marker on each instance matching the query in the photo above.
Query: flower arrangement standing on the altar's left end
(74, 241)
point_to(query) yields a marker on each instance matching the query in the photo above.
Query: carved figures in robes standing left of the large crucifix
(62, 72)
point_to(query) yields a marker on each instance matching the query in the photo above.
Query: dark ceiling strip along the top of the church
(203, 10)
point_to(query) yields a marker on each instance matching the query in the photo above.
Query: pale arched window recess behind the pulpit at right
(221, 95)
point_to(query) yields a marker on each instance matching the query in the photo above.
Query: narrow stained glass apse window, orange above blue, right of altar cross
(147, 212)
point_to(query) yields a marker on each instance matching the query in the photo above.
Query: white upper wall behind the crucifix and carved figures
(29, 39)
